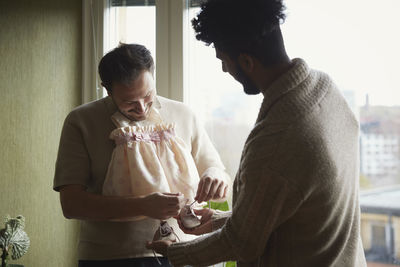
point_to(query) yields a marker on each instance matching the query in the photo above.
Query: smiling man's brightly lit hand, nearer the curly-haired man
(211, 189)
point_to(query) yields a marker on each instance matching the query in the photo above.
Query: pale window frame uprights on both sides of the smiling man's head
(171, 30)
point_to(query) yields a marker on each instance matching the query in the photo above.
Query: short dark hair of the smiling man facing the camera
(124, 64)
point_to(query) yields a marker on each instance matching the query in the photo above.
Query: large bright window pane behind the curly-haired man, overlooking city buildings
(356, 43)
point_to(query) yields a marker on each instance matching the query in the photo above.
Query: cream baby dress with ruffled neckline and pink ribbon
(149, 157)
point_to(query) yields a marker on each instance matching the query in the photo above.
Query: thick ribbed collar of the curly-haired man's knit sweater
(293, 93)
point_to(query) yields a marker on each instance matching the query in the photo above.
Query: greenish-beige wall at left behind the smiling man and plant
(40, 80)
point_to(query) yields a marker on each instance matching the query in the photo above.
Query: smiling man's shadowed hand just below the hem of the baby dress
(163, 205)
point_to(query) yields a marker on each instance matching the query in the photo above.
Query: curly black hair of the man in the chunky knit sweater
(238, 26)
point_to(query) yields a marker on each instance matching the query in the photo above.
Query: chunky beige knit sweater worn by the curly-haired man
(295, 195)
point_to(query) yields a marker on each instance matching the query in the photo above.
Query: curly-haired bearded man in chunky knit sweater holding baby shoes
(295, 195)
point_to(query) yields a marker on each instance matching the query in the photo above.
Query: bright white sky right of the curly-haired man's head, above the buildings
(357, 42)
